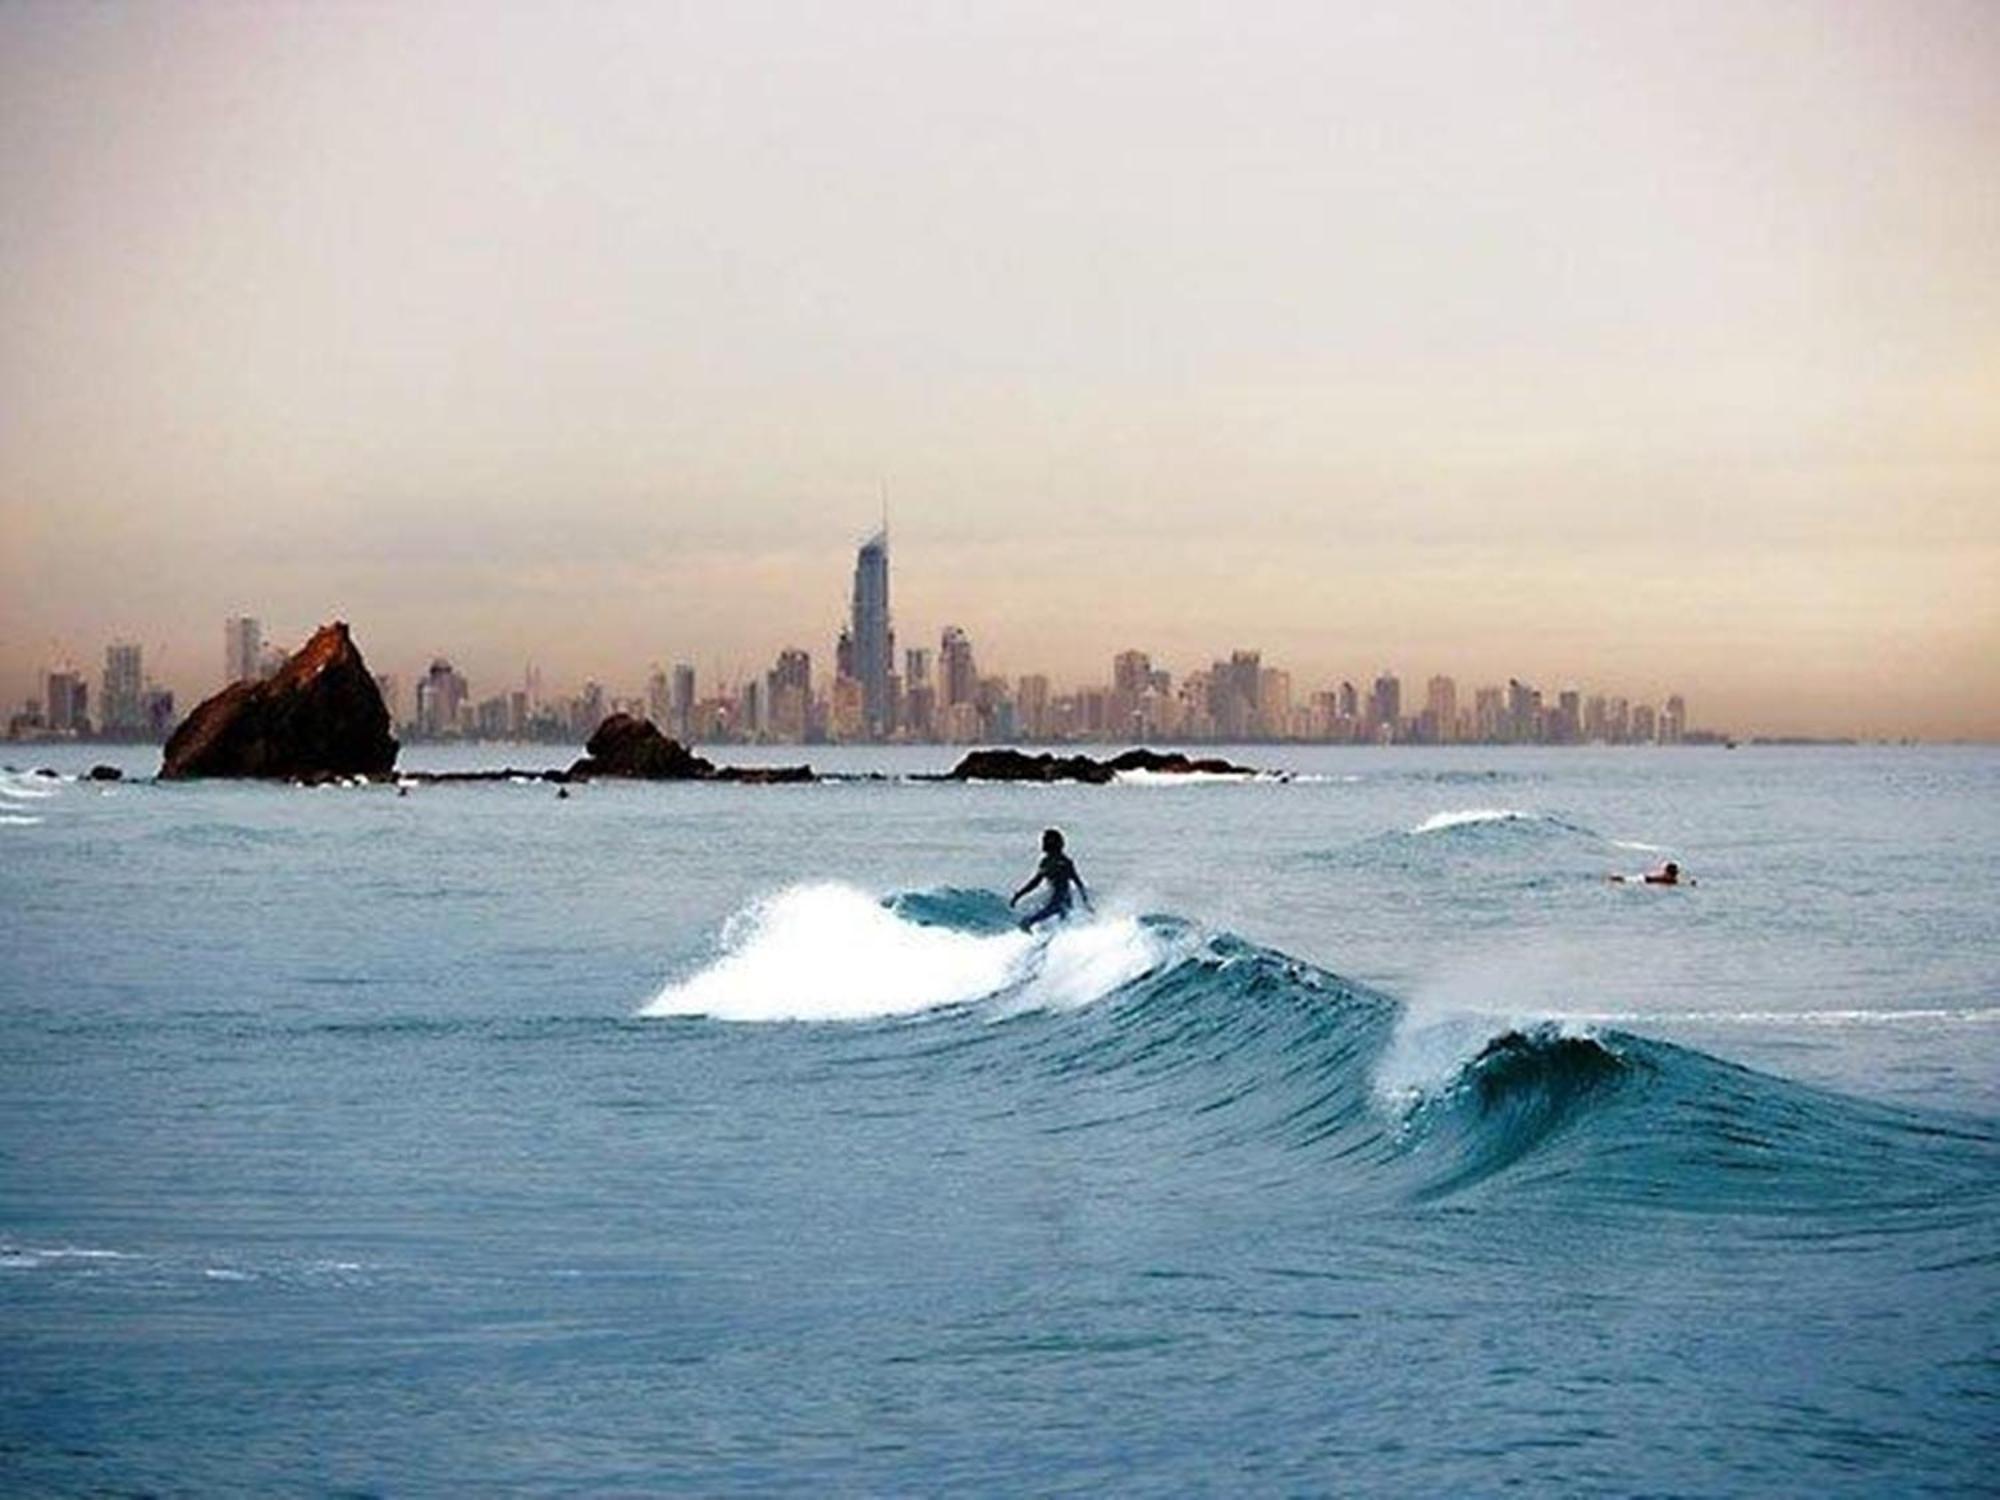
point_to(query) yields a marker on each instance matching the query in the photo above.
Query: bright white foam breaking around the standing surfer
(835, 953)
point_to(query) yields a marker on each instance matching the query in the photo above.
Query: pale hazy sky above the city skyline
(1631, 345)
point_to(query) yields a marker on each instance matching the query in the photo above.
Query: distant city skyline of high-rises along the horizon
(937, 697)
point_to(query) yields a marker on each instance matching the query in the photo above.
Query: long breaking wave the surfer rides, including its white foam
(1241, 1049)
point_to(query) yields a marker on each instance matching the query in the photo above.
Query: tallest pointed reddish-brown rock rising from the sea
(319, 717)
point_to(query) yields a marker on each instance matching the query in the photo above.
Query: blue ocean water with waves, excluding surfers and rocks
(729, 1139)
